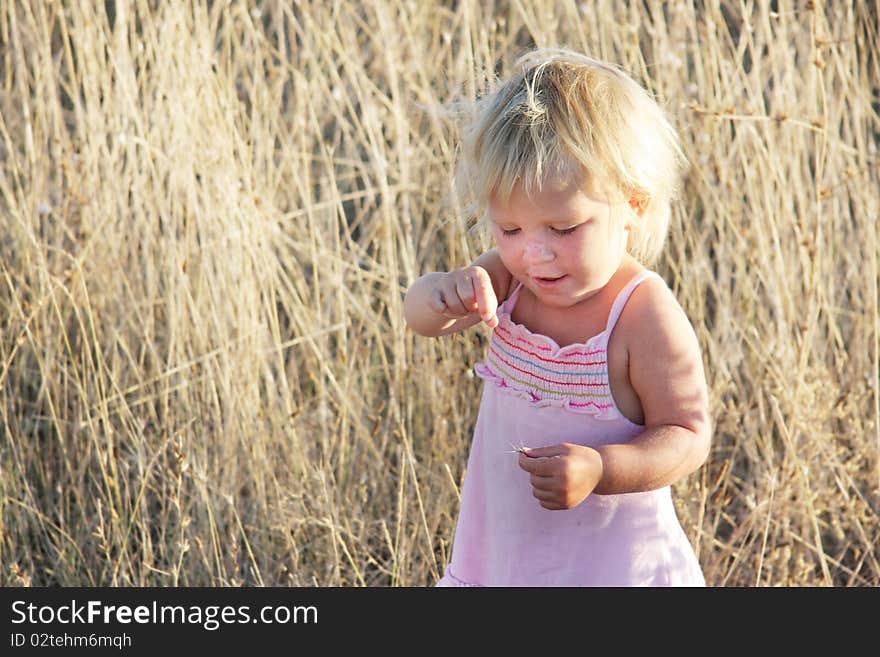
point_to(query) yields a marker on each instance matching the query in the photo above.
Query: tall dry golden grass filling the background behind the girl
(210, 213)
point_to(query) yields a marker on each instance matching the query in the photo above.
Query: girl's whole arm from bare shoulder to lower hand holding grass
(666, 372)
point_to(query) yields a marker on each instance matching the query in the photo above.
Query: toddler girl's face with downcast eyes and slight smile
(562, 242)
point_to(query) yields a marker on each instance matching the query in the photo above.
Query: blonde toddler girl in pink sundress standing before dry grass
(595, 399)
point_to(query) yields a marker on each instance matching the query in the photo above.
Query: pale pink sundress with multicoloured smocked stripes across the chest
(538, 394)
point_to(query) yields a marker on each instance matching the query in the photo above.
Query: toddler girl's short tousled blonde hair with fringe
(563, 115)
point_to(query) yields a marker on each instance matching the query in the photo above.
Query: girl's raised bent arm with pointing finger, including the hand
(440, 303)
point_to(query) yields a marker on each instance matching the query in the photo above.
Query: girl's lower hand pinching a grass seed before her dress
(562, 476)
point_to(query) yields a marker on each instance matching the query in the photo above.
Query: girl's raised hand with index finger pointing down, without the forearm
(464, 291)
